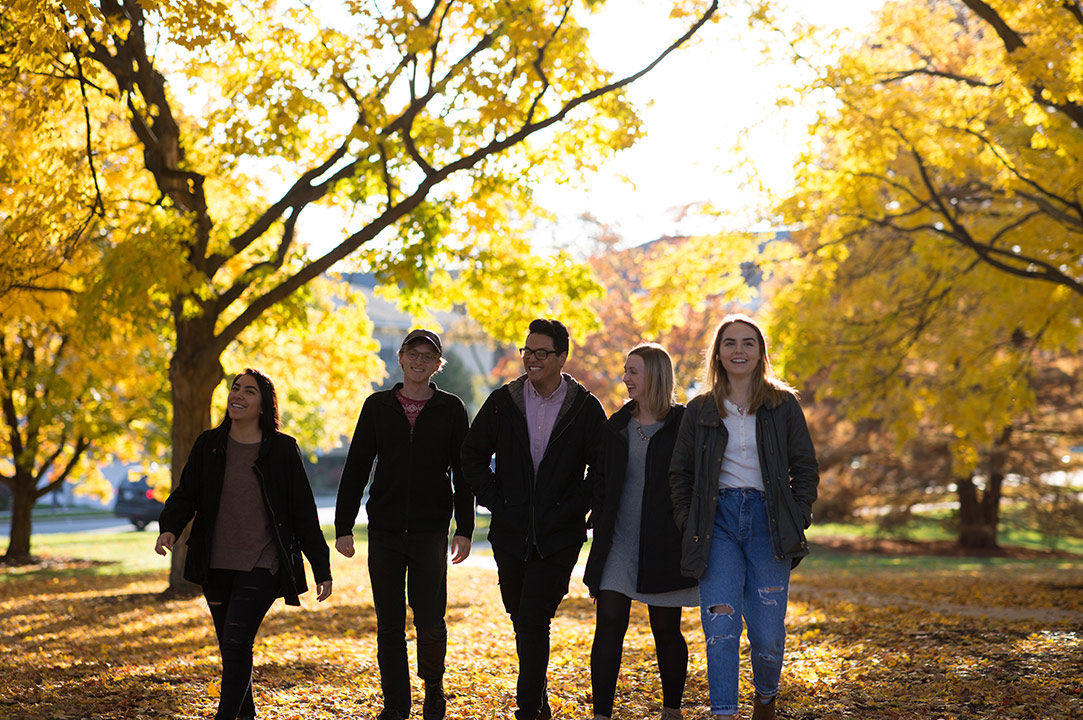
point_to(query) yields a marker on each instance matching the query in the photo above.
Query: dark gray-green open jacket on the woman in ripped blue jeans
(788, 462)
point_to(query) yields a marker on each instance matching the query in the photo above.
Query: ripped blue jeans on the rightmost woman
(743, 582)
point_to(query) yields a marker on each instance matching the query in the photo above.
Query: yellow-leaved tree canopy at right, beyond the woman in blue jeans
(940, 220)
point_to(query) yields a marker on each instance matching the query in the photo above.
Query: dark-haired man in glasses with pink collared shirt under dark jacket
(543, 428)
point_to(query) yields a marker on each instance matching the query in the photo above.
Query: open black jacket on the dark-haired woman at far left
(288, 499)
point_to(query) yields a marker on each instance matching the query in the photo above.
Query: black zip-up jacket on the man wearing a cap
(416, 469)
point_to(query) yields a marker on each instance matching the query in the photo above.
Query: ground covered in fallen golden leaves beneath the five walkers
(871, 637)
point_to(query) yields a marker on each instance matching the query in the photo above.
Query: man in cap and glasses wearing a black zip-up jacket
(414, 434)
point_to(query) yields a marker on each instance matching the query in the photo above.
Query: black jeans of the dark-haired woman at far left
(239, 601)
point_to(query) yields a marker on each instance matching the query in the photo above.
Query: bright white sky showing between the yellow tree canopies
(696, 106)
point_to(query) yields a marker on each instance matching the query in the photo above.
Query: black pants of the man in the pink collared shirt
(532, 591)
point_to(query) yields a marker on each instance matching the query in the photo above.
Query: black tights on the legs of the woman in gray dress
(614, 610)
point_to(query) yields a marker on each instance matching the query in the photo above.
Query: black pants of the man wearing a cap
(414, 565)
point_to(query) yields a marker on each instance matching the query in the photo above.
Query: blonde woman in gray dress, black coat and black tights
(636, 549)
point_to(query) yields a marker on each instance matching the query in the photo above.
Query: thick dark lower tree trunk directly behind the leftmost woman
(194, 373)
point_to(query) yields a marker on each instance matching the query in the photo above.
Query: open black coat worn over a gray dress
(659, 535)
